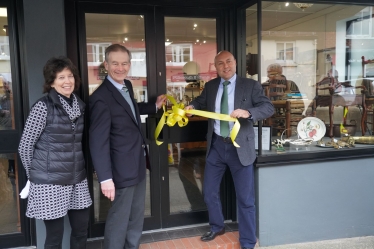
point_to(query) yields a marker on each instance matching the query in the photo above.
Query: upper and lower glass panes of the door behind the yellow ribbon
(190, 48)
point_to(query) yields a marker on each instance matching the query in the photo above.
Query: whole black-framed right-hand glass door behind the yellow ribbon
(187, 41)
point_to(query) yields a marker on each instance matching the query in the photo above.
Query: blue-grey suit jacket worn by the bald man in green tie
(249, 95)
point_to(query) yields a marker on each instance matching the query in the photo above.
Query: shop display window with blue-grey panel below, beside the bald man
(314, 169)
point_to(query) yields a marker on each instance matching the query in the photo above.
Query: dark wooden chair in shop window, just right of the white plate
(330, 92)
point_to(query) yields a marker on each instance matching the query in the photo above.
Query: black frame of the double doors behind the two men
(155, 51)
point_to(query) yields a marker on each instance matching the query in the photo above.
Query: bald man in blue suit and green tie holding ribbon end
(243, 99)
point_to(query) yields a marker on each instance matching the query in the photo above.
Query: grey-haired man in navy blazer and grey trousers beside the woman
(118, 149)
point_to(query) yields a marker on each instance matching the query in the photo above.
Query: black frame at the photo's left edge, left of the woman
(20, 104)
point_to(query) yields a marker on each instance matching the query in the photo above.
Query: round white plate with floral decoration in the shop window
(311, 127)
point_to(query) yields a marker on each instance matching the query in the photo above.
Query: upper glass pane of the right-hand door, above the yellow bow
(189, 56)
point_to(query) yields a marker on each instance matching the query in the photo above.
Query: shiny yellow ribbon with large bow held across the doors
(177, 114)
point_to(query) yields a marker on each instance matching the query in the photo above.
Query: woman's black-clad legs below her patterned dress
(55, 230)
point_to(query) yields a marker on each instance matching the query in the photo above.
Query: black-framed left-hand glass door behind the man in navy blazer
(104, 25)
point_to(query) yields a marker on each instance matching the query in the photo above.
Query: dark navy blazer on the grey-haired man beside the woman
(117, 144)
